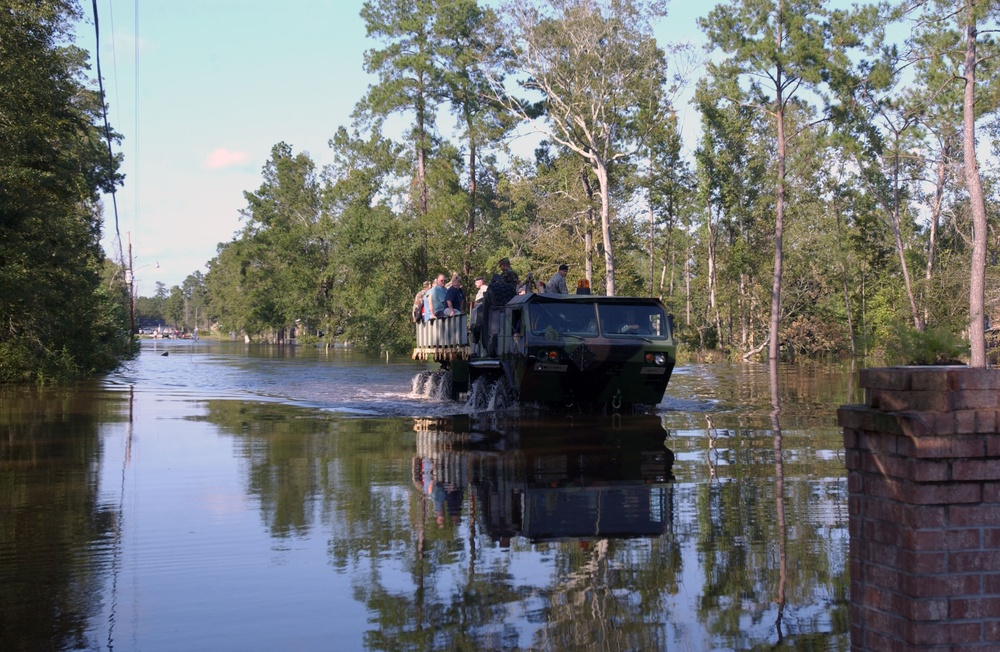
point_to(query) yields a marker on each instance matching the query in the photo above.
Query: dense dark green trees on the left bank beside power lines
(64, 306)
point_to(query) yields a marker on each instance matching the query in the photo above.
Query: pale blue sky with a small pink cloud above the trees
(201, 90)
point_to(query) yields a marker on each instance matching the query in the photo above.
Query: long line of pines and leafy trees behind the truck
(831, 207)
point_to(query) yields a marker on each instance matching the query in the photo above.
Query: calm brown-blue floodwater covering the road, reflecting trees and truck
(220, 496)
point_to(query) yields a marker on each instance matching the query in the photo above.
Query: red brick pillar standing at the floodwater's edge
(923, 474)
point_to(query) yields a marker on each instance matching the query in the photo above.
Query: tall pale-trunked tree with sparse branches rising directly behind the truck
(597, 68)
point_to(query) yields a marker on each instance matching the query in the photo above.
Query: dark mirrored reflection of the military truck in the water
(534, 480)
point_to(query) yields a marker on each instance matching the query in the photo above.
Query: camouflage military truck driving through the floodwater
(555, 348)
